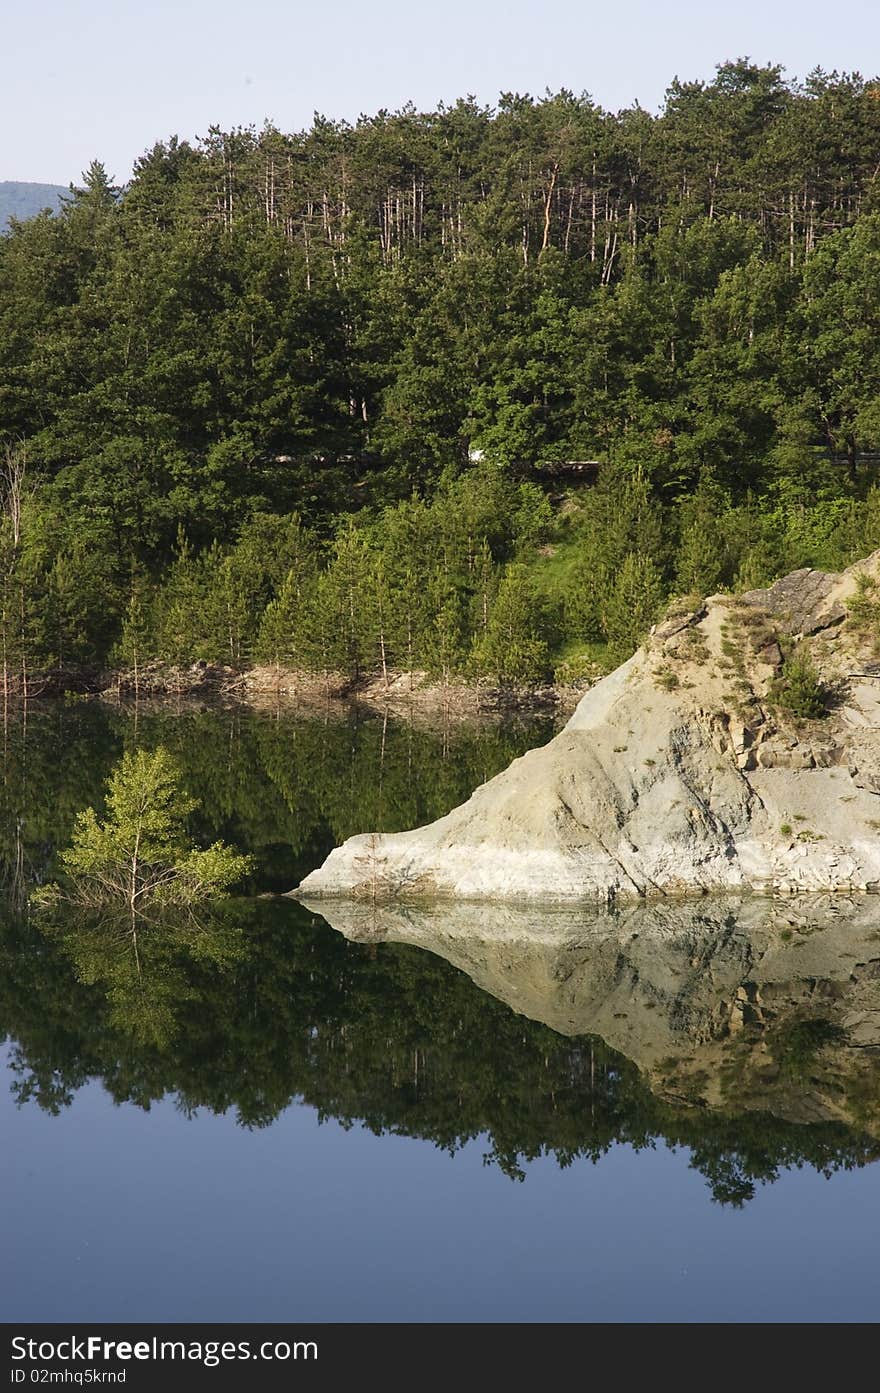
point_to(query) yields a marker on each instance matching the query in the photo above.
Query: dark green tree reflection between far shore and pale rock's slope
(282, 788)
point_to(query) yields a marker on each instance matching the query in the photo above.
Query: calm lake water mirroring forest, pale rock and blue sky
(455, 1116)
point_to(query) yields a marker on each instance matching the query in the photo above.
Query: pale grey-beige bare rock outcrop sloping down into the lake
(679, 772)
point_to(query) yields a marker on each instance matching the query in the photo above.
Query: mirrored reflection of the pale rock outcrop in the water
(744, 1005)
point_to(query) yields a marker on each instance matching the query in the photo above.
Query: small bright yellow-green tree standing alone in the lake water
(141, 852)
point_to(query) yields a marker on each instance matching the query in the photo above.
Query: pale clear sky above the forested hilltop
(107, 79)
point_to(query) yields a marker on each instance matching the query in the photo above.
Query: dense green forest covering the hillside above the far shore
(315, 399)
